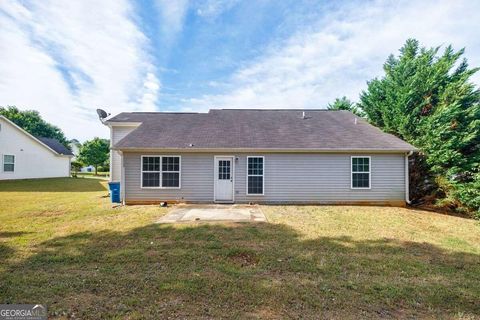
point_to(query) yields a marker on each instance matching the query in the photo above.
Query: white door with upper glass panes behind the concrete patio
(224, 179)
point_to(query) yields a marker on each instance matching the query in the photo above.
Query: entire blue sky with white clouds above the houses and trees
(68, 58)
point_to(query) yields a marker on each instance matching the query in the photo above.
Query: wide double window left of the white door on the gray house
(160, 172)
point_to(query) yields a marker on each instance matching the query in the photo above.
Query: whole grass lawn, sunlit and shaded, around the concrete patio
(62, 244)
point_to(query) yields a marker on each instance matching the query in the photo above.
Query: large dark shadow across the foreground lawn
(242, 271)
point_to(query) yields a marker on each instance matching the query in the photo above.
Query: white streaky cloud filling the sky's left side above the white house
(95, 45)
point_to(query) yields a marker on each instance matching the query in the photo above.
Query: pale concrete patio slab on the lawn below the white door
(217, 212)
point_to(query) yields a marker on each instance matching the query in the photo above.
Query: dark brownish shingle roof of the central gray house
(256, 129)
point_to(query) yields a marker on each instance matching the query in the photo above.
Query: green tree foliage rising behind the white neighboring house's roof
(32, 122)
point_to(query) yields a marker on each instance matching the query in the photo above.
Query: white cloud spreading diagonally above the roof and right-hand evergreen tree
(345, 49)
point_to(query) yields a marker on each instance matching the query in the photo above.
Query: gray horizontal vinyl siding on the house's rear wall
(289, 178)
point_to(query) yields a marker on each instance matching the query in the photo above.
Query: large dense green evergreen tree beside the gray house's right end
(428, 99)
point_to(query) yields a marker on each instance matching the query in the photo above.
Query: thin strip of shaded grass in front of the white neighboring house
(53, 185)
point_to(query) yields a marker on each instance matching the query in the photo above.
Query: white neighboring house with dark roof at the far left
(24, 156)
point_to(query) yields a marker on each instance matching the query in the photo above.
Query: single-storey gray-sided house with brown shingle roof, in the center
(257, 156)
